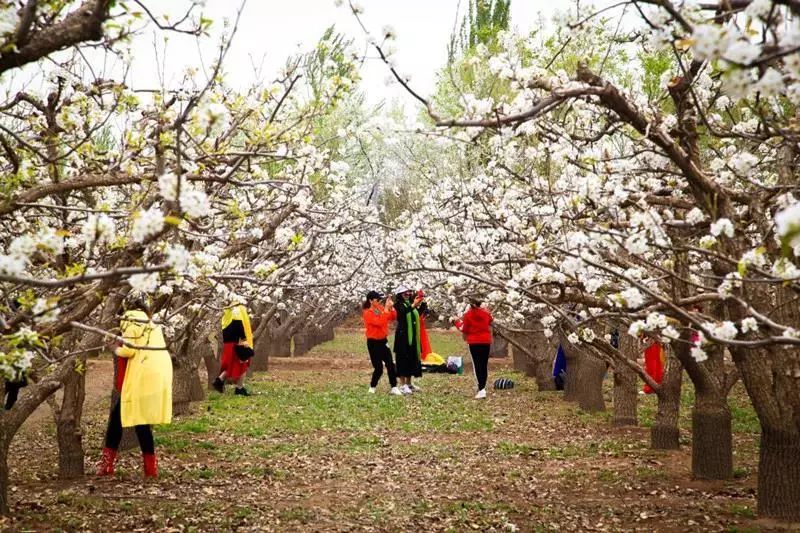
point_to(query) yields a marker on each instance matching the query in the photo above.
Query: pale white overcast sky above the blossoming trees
(272, 30)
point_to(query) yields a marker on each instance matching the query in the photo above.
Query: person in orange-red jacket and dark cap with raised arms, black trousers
(376, 328)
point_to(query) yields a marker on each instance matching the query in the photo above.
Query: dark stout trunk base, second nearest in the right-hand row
(712, 446)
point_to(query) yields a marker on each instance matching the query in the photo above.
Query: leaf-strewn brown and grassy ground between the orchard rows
(310, 450)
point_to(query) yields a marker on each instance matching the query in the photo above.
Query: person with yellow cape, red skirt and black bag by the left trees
(237, 349)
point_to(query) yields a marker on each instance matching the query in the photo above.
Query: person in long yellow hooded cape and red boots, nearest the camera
(144, 381)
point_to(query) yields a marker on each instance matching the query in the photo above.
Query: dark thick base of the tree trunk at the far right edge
(779, 476)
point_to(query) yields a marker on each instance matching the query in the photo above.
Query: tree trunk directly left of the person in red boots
(68, 427)
